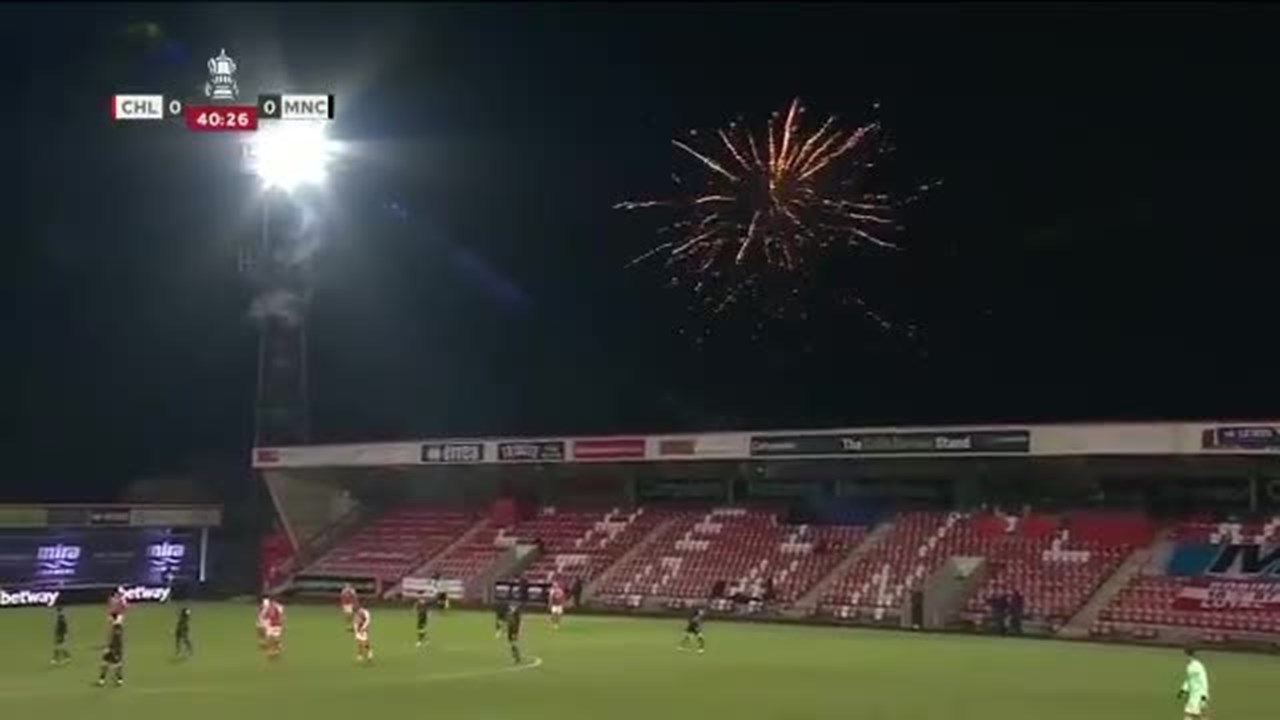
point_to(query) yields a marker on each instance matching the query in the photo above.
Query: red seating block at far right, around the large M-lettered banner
(1148, 603)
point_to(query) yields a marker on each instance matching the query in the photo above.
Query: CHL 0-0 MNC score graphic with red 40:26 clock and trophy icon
(222, 108)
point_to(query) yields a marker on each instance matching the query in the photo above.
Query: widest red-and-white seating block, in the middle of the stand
(743, 548)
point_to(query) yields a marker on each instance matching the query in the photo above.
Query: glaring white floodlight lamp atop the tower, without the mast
(287, 156)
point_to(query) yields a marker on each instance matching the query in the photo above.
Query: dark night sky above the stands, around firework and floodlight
(1103, 245)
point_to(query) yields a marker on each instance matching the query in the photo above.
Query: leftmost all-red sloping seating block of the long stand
(395, 544)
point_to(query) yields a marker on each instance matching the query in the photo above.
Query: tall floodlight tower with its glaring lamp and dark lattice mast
(285, 157)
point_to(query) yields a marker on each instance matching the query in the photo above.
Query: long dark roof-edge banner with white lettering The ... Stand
(941, 443)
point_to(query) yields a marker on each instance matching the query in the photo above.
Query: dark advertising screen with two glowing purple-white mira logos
(94, 559)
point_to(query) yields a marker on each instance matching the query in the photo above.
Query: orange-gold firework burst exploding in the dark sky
(764, 212)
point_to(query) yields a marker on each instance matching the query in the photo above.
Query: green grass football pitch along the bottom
(597, 669)
